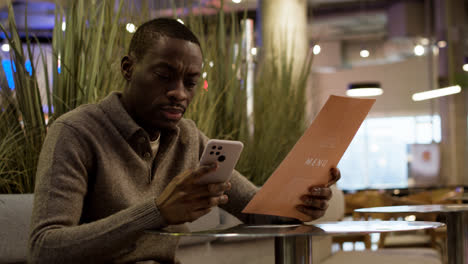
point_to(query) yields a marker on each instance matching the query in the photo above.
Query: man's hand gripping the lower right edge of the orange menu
(315, 202)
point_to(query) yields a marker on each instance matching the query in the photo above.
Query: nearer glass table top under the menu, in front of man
(326, 228)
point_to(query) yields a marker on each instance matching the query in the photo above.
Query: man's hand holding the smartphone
(184, 200)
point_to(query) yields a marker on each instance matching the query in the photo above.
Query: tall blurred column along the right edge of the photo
(454, 108)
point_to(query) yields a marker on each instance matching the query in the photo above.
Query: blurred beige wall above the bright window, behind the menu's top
(399, 81)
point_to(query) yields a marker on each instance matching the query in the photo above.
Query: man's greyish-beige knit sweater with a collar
(96, 187)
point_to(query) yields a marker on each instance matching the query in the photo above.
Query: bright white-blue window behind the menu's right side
(377, 157)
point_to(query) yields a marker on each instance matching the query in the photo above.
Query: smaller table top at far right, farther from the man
(431, 208)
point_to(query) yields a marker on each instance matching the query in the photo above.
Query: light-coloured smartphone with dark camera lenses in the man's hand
(226, 153)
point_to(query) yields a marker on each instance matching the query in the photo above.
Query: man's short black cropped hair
(152, 30)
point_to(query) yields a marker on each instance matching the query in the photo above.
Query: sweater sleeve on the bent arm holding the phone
(57, 235)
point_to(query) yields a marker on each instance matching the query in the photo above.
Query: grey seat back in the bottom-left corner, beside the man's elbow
(15, 218)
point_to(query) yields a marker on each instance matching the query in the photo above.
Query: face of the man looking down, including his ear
(162, 83)
